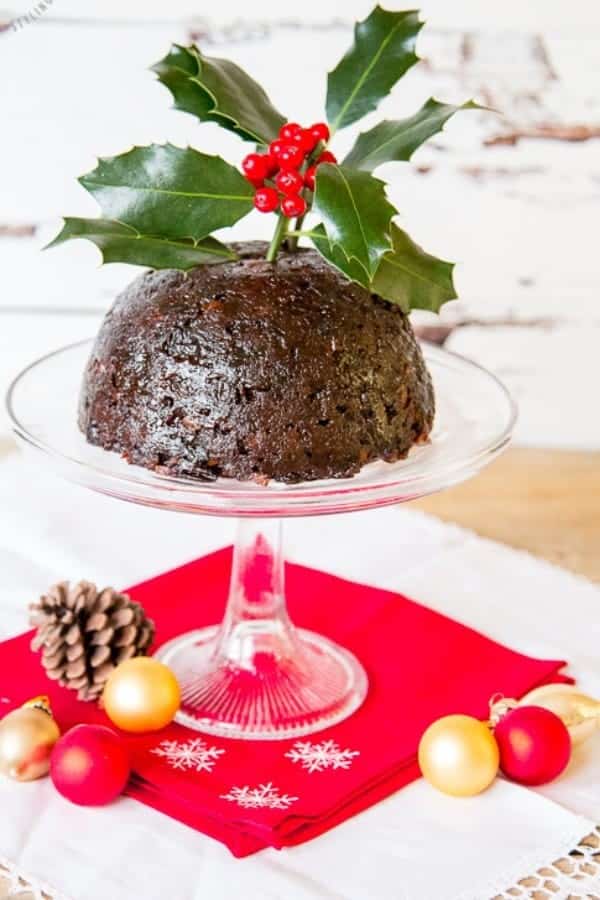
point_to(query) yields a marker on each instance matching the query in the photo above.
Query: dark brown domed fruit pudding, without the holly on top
(256, 370)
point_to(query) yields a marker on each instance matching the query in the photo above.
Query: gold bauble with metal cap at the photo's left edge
(27, 736)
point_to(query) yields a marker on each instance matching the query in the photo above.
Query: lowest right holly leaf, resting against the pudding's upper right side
(411, 278)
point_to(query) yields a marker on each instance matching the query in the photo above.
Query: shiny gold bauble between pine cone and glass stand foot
(142, 694)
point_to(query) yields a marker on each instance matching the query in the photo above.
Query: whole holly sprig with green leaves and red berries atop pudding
(161, 204)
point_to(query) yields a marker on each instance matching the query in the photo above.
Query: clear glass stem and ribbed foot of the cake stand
(256, 676)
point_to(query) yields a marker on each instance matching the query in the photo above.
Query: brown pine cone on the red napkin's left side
(84, 633)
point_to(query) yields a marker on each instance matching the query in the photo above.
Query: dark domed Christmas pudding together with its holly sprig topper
(272, 361)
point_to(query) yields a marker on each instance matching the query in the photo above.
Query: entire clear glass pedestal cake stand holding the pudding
(256, 675)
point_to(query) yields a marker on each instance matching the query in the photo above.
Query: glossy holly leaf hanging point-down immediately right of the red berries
(356, 214)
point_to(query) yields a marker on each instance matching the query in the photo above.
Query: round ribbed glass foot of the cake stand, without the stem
(268, 696)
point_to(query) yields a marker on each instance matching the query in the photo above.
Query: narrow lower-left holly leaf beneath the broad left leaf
(121, 243)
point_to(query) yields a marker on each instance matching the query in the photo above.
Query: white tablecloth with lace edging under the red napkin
(418, 844)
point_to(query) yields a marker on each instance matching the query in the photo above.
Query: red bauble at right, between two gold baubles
(534, 744)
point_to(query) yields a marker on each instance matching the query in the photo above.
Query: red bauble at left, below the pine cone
(90, 765)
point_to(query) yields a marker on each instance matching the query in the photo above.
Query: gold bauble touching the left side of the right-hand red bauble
(458, 755)
